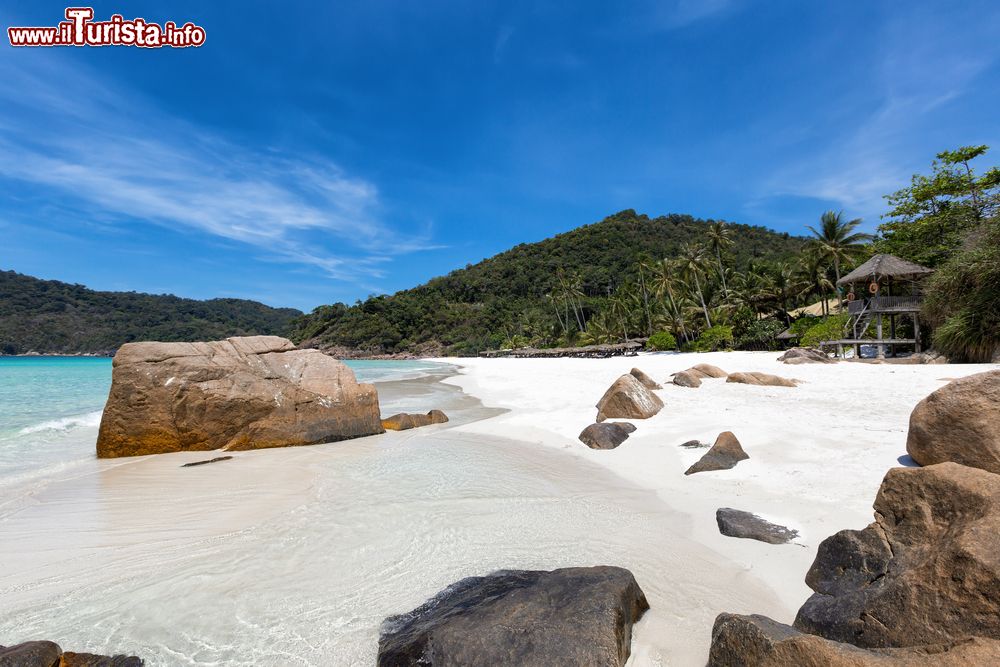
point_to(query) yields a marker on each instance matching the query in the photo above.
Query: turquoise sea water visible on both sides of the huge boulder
(50, 408)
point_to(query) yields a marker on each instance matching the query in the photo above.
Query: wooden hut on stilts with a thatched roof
(879, 291)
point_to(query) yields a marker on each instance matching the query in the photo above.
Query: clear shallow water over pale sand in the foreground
(295, 556)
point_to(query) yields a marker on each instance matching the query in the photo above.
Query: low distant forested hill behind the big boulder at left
(52, 317)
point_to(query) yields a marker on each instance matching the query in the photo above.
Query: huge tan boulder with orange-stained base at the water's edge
(235, 394)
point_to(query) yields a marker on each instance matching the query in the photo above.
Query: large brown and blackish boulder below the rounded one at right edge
(927, 571)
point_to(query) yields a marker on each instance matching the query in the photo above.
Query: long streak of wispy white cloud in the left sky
(117, 154)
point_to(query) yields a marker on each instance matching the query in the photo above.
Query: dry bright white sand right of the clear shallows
(818, 452)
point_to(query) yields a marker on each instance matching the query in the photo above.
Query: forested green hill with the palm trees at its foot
(627, 276)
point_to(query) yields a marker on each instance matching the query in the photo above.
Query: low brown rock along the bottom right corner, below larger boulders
(758, 641)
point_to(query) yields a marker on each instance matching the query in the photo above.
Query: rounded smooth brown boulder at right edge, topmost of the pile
(959, 422)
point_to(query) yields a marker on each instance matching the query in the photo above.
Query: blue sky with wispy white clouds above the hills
(319, 152)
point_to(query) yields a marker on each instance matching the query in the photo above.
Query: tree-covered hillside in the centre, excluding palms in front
(539, 293)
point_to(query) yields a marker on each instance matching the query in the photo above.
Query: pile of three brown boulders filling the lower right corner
(921, 584)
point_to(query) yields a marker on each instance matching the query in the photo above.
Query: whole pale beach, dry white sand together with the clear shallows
(294, 556)
